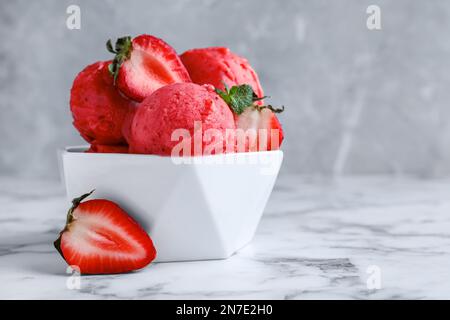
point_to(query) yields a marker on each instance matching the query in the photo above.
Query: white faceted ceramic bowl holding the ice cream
(206, 209)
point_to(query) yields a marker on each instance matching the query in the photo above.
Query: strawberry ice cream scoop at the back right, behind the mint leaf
(216, 65)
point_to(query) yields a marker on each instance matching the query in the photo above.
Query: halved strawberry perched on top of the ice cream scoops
(144, 64)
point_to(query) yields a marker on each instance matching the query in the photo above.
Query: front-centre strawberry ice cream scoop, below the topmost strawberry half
(182, 106)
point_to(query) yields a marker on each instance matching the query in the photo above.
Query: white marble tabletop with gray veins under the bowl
(318, 238)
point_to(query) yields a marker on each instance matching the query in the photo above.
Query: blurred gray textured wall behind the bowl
(358, 101)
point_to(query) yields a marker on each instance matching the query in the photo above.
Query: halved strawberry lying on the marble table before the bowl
(100, 237)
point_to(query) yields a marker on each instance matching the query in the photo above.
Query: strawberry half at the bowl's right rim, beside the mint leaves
(264, 124)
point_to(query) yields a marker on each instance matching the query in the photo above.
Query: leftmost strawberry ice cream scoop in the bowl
(97, 107)
